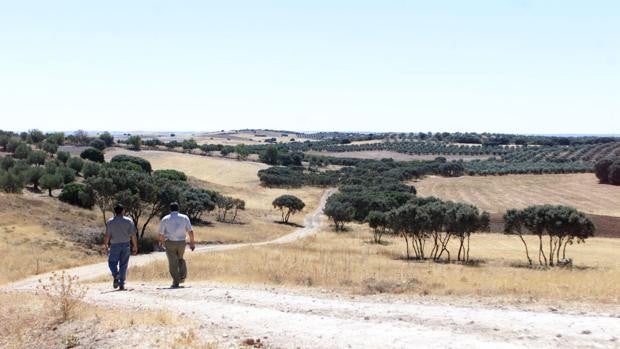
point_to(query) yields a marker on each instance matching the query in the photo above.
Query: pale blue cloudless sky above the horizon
(519, 66)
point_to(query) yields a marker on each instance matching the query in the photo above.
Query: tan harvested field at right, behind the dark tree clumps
(498, 193)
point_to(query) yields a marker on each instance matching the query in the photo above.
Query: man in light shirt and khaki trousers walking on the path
(172, 231)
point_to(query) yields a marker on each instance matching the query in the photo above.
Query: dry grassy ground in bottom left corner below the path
(26, 322)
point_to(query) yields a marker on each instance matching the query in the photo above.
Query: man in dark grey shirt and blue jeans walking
(119, 239)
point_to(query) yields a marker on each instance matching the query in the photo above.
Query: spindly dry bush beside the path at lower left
(64, 294)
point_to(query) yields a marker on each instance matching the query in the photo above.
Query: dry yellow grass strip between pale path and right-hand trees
(347, 261)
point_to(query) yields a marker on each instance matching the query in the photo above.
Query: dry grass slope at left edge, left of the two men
(39, 234)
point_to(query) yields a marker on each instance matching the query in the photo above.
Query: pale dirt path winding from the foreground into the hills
(289, 319)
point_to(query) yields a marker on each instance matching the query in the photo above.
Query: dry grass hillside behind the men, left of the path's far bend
(234, 178)
